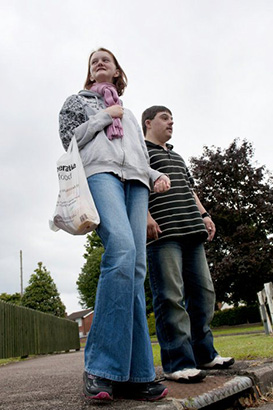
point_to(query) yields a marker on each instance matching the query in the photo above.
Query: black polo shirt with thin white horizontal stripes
(175, 211)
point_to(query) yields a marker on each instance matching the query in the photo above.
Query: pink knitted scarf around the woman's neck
(110, 96)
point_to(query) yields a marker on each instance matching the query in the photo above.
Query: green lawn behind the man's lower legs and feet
(241, 347)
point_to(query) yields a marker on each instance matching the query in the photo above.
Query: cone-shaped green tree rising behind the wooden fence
(42, 294)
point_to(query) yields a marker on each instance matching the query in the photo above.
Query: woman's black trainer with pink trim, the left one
(97, 388)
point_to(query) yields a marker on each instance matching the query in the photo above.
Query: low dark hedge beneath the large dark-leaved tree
(236, 316)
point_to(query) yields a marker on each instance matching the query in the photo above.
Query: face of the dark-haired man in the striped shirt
(162, 126)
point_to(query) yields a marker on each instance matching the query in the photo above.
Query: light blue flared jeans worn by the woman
(118, 345)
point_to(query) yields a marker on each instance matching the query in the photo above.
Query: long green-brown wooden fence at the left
(25, 331)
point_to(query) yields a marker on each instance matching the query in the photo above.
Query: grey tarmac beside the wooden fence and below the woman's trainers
(54, 382)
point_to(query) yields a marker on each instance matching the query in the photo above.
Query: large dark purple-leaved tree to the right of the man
(239, 196)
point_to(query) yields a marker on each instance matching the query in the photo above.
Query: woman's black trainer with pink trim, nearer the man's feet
(141, 391)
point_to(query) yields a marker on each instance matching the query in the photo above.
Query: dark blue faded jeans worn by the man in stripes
(183, 299)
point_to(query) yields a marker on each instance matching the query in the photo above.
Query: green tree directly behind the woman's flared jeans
(88, 278)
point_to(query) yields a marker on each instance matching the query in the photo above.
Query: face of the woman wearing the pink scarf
(102, 67)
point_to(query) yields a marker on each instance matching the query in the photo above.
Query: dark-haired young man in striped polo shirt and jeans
(183, 292)
